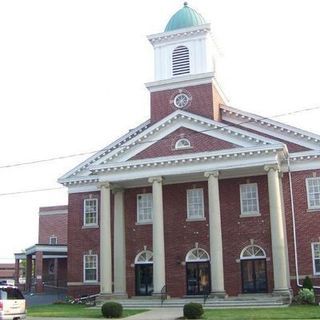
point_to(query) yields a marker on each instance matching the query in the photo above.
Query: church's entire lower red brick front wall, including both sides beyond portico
(181, 235)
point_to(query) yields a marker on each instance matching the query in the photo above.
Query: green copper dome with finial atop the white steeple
(185, 18)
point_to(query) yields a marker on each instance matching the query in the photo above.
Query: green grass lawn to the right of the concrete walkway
(293, 312)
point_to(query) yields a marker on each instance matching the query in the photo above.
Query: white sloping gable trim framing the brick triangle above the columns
(135, 141)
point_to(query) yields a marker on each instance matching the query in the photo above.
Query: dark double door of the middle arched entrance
(198, 278)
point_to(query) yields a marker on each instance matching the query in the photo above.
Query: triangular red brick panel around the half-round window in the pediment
(200, 142)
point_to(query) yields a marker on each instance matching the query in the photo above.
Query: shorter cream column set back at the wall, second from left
(119, 245)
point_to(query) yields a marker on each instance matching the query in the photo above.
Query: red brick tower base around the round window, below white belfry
(202, 102)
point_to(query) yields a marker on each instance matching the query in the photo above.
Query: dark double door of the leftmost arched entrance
(144, 279)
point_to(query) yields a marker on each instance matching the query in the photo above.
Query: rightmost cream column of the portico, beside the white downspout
(278, 239)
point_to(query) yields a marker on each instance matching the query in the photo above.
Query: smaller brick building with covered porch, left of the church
(46, 262)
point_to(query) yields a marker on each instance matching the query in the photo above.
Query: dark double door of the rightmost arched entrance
(254, 276)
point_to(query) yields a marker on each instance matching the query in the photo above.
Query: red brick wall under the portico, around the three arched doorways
(181, 235)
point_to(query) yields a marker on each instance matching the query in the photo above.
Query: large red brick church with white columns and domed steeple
(200, 197)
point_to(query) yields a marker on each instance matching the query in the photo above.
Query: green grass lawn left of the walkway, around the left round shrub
(71, 311)
